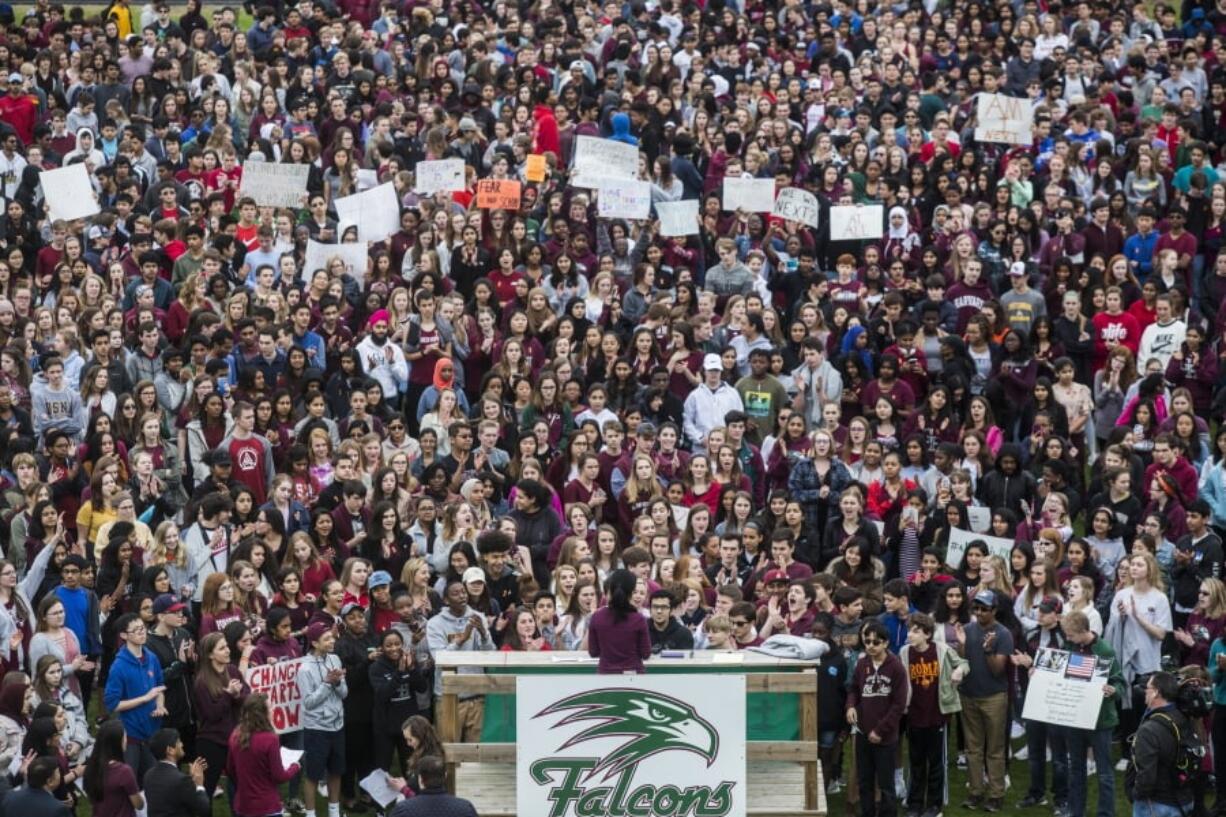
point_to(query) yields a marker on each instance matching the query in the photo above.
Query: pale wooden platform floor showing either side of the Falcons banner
(775, 789)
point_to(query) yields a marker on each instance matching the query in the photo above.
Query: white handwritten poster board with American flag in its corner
(1066, 689)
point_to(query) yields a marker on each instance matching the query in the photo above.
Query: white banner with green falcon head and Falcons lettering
(631, 744)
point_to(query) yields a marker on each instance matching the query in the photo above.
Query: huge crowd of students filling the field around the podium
(541, 429)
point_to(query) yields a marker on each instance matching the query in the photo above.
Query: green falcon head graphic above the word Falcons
(653, 722)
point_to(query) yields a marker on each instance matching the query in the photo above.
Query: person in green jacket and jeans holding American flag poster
(1079, 639)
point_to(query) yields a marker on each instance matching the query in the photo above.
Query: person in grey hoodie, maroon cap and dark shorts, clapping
(323, 690)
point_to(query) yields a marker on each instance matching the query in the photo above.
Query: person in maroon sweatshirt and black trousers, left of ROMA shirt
(876, 702)
